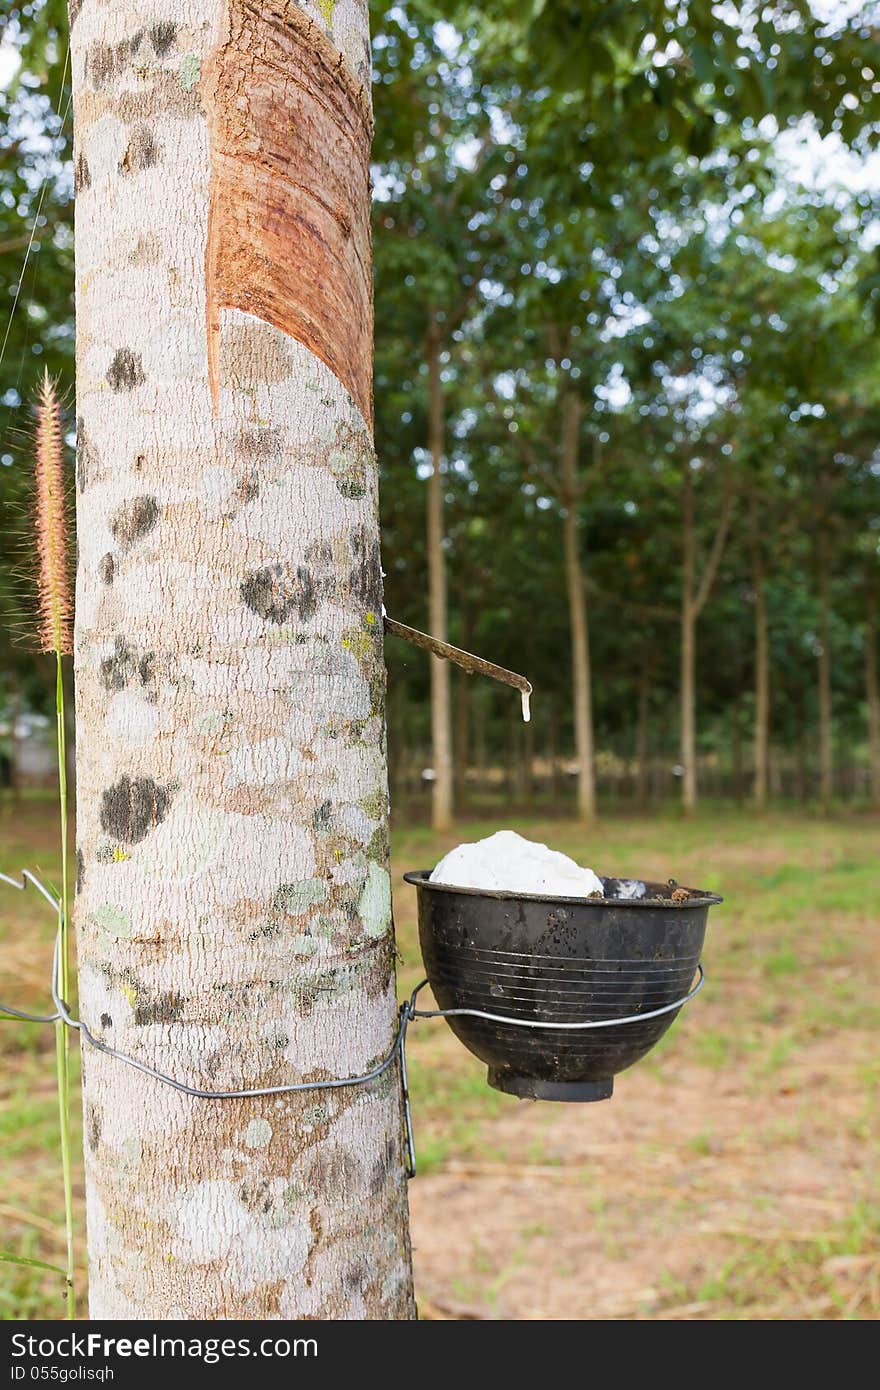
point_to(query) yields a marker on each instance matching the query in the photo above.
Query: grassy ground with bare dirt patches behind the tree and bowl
(732, 1174)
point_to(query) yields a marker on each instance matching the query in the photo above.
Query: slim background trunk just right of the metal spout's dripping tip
(572, 411)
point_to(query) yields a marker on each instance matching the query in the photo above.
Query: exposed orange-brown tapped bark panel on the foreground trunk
(290, 209)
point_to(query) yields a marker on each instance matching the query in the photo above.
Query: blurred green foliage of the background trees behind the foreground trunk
(573, 197)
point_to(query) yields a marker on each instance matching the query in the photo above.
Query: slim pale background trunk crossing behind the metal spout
(441, 697)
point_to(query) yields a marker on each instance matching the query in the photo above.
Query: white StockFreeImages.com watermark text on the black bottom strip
(95, 1346)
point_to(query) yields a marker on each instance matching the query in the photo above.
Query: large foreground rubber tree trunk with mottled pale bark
(234, 904)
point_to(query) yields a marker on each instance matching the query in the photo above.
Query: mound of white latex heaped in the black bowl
(511, 864)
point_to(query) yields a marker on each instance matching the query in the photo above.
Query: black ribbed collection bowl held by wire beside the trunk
(560, 961)
